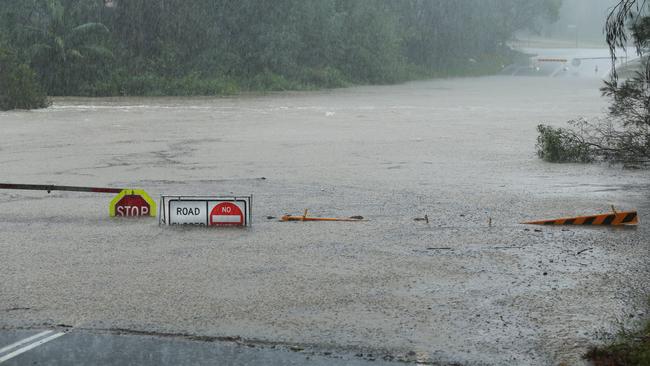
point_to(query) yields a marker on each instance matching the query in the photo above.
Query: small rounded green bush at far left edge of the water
(19, 87)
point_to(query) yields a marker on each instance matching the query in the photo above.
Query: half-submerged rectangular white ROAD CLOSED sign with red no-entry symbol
(206, 211)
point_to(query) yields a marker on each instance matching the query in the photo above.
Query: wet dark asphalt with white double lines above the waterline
(81, 347)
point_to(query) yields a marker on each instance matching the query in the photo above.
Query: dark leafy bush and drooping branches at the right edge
(623, 135)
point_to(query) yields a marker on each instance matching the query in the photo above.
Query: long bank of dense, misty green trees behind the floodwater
(160, 47)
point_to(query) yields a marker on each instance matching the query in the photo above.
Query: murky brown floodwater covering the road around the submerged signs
(454, 290)
